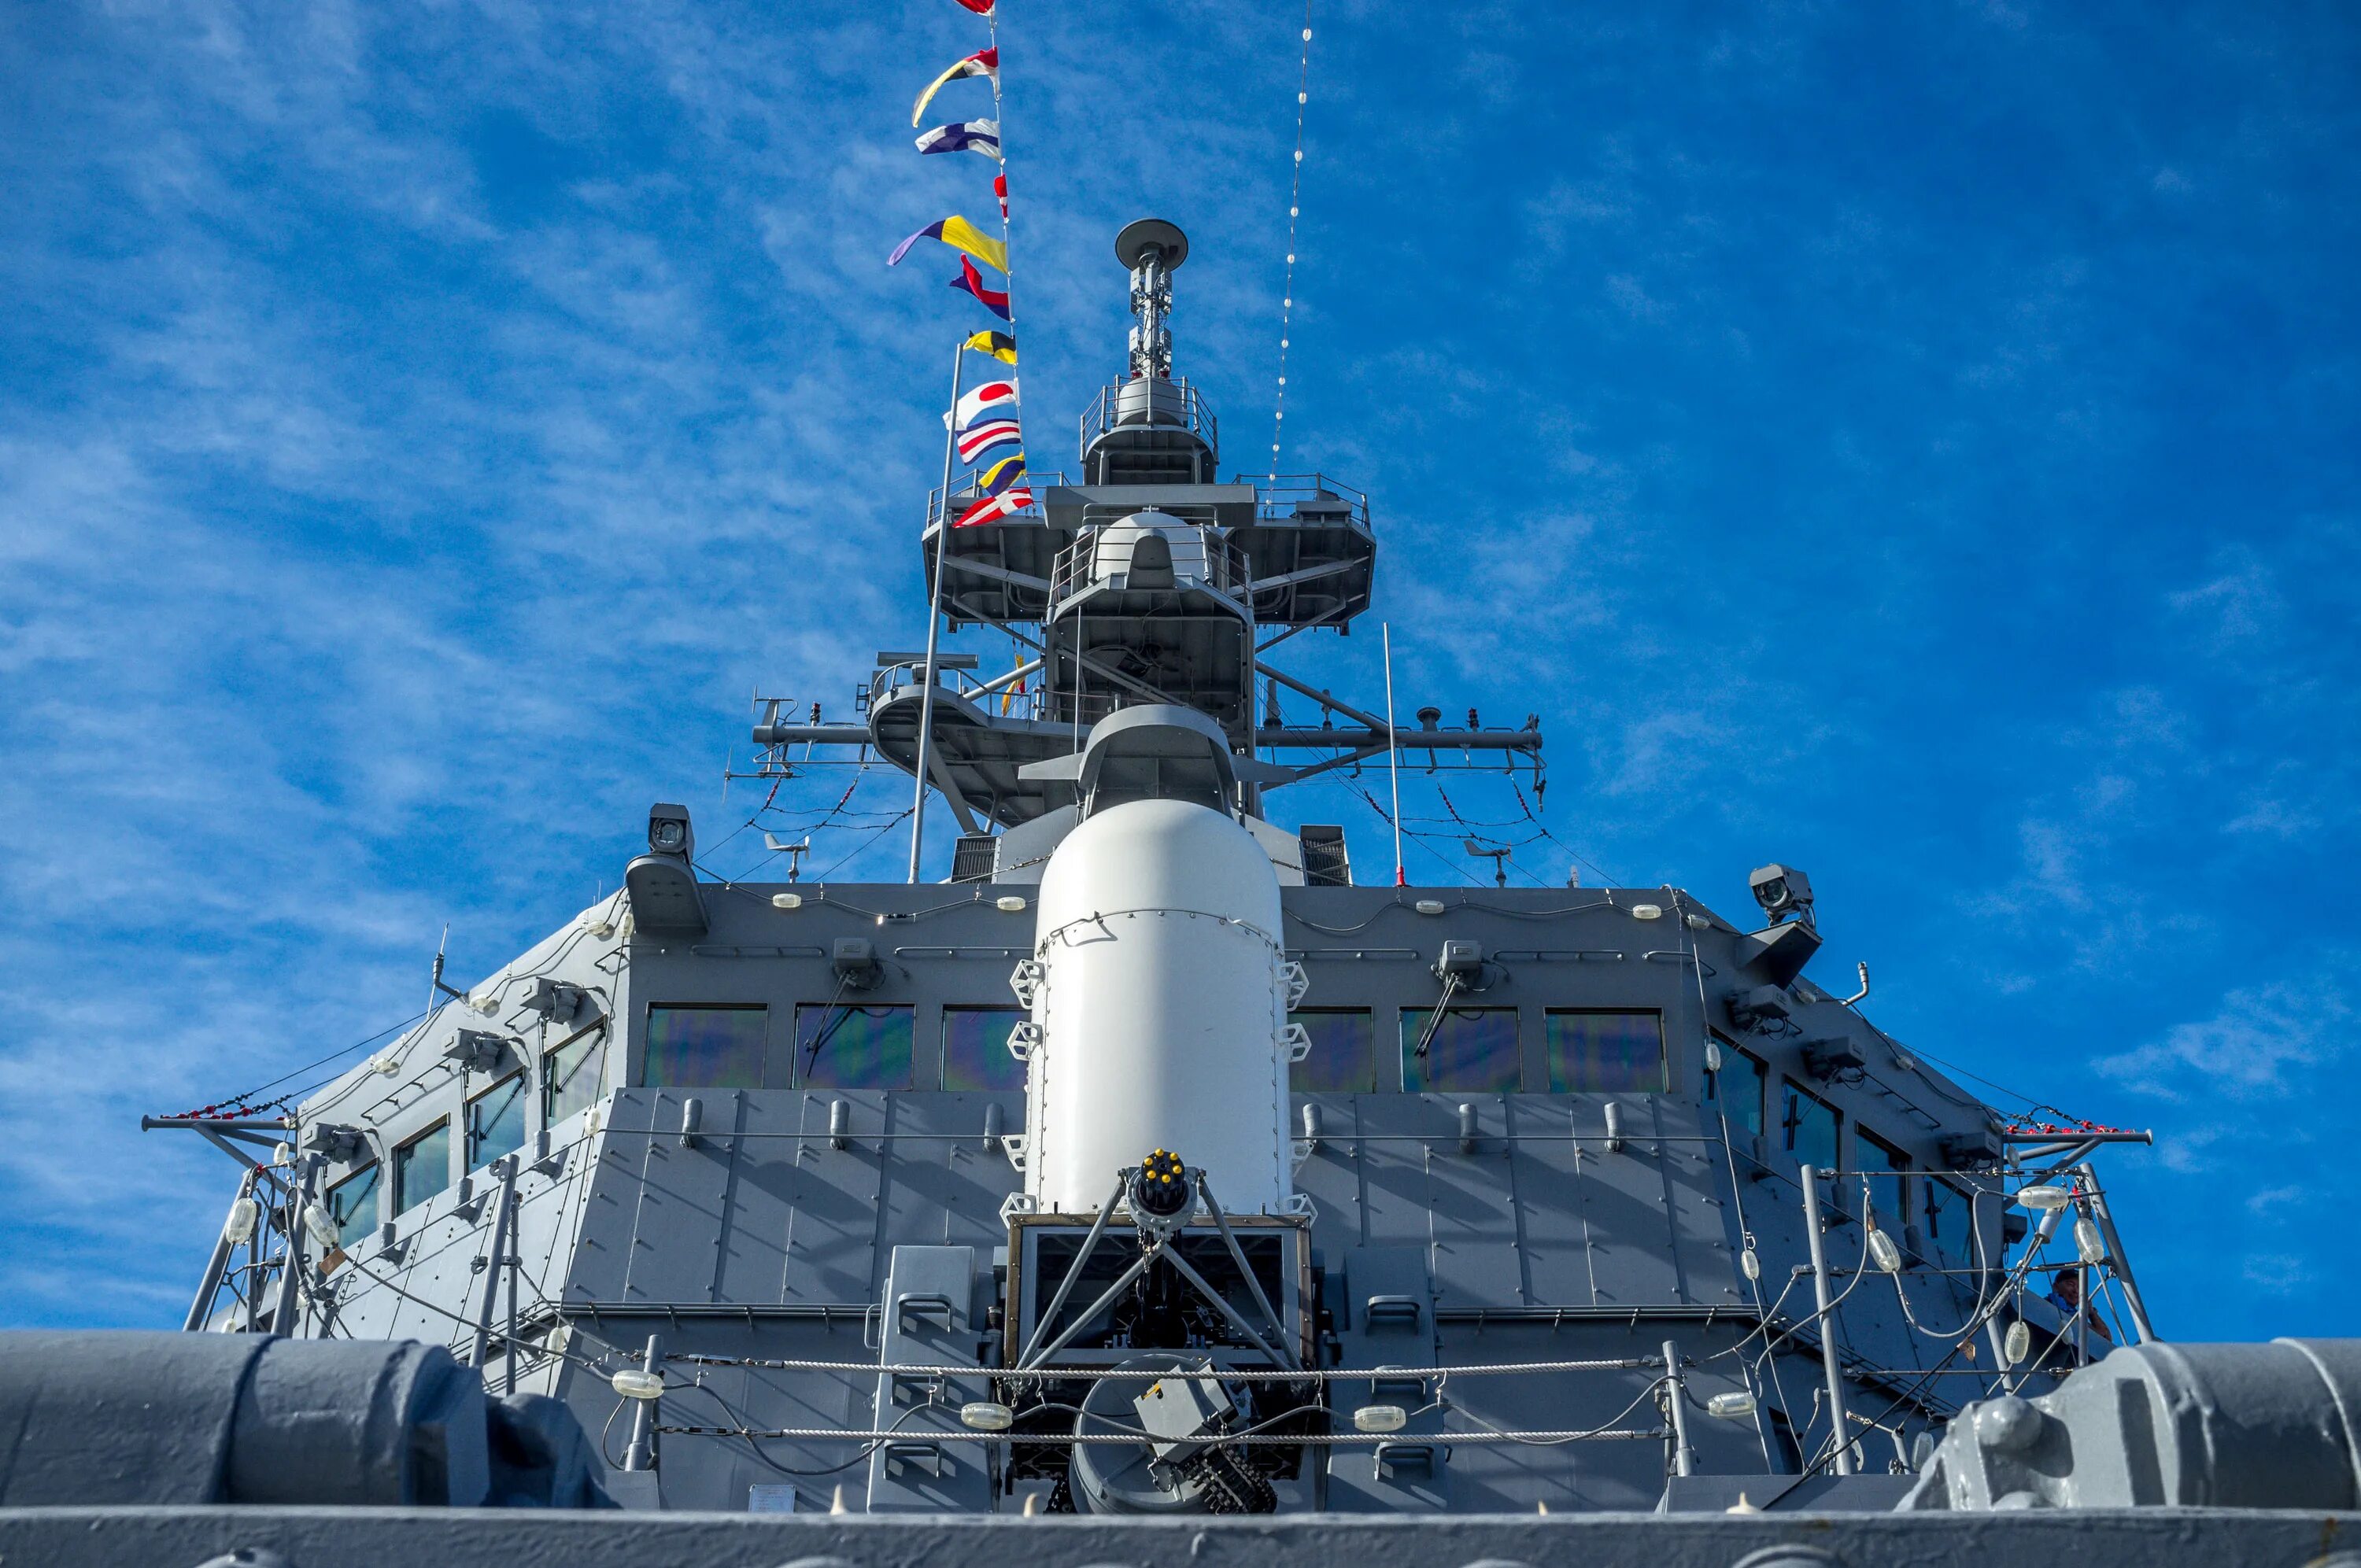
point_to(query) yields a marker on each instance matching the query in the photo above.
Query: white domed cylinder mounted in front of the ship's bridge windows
(1163, 1010)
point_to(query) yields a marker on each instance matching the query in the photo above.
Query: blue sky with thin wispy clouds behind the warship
(1914, 443)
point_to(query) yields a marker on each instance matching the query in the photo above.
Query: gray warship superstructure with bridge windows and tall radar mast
(1156, 1165)
